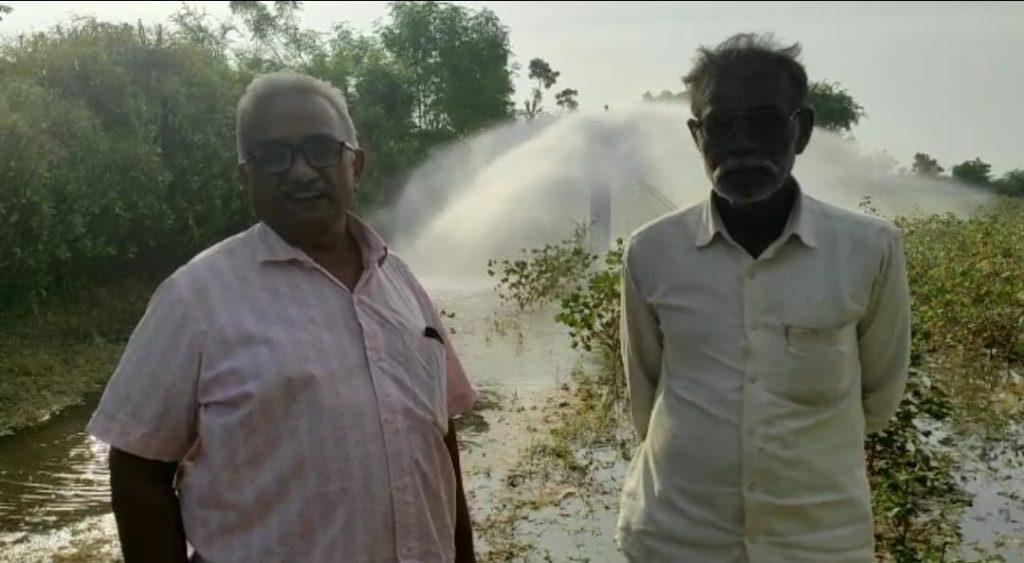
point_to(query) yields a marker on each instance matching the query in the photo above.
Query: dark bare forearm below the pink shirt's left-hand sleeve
(147, 509)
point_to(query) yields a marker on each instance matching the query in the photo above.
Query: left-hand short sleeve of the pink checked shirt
(150, 408)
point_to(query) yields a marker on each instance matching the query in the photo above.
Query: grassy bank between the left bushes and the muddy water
(55, 356)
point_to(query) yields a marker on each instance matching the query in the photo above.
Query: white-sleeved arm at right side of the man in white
(885, 339)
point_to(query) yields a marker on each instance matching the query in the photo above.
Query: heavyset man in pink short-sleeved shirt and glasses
(289, 394)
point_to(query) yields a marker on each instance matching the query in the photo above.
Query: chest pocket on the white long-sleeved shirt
(818, 363)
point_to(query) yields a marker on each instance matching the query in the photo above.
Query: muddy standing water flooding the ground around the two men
(55, 498)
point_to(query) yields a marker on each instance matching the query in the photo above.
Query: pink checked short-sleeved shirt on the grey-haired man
(309, 420)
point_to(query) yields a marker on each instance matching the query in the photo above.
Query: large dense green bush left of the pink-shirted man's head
(117, 156)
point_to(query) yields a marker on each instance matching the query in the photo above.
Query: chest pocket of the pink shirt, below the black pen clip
(425, 373)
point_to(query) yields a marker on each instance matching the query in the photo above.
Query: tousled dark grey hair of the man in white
(745, 51)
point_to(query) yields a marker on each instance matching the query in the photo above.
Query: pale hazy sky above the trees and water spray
(946, 78)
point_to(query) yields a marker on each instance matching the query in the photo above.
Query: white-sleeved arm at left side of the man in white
(642, 343)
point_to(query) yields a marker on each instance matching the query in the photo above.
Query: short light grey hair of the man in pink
(270, 85)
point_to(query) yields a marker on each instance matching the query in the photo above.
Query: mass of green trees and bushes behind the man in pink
(124, 135)
